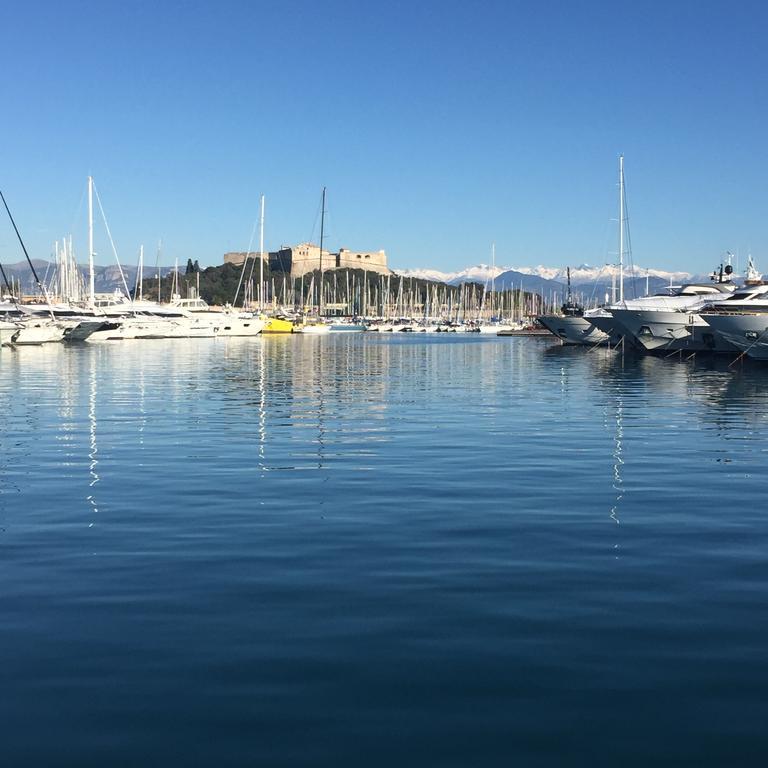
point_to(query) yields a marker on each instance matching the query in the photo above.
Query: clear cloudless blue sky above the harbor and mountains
(438, 127)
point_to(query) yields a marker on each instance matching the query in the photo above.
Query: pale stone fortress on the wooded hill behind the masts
(297, 260)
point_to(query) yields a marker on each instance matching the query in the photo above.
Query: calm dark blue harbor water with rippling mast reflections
(397, 550)
